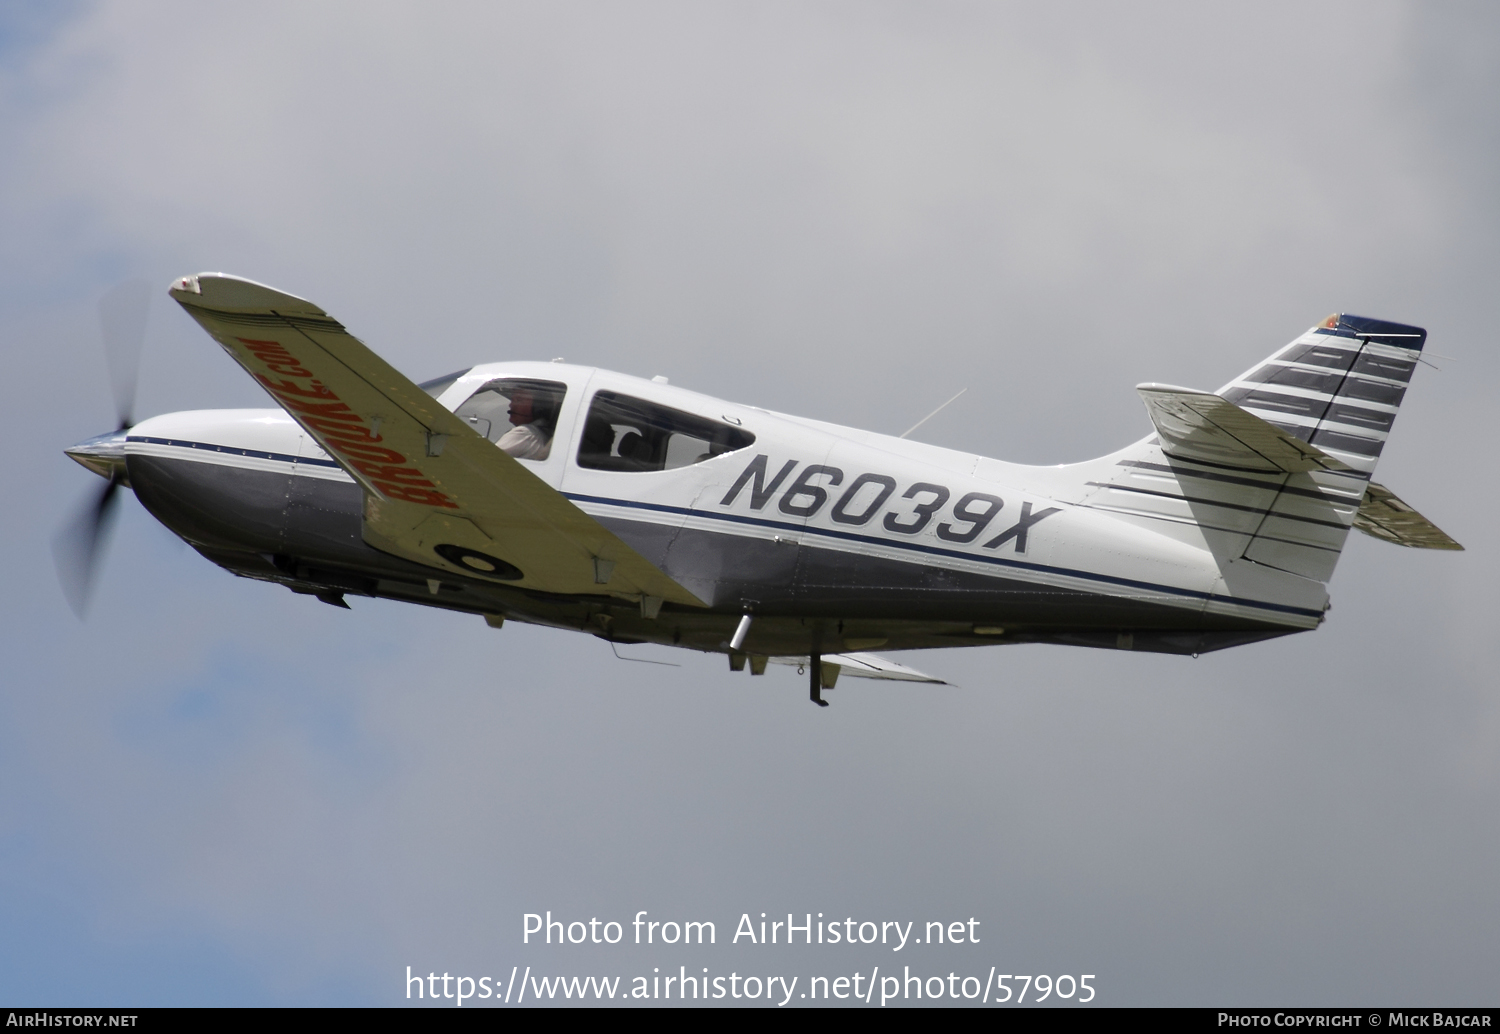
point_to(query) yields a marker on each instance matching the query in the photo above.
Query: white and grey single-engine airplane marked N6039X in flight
(641, 512)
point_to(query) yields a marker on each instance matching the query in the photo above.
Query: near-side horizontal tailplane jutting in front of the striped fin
(1199, 425)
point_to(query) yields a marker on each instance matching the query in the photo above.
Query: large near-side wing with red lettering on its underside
(436, 491)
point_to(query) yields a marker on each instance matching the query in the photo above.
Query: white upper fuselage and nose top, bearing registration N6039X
(863, 500)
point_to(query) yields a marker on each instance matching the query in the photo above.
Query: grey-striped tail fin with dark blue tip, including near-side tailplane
(1274, 467)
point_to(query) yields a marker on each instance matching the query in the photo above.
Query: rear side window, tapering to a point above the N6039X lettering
(631, 434)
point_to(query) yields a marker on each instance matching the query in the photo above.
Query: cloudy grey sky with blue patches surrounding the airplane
(214, 792)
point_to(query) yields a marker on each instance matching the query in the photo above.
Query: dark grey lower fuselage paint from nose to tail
(305, 532)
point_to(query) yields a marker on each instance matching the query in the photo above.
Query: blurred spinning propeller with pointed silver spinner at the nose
(79, 546)
